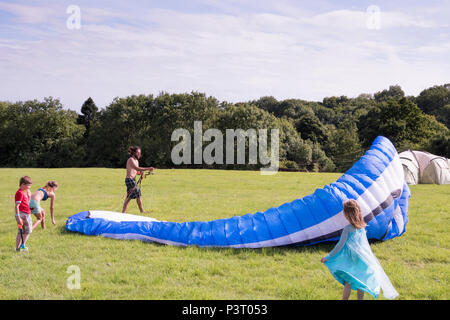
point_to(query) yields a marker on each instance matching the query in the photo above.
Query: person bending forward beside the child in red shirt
(42, 194)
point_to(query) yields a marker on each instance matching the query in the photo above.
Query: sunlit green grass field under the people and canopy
(417, 263)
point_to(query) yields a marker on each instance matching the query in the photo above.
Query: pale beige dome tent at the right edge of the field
(424, 167)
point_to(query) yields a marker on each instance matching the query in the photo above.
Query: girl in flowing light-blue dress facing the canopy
(352, 262)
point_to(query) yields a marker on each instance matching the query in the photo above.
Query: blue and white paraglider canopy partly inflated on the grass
(376, 181)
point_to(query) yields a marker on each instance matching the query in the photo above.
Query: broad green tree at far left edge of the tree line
(40, 134)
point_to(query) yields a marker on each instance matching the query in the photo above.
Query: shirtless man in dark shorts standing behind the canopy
(133, 169)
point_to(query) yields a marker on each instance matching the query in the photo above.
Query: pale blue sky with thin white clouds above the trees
(234, 50)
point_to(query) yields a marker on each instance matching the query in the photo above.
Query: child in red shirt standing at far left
(23, 212)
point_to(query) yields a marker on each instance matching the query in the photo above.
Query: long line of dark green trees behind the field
(314, 136)
